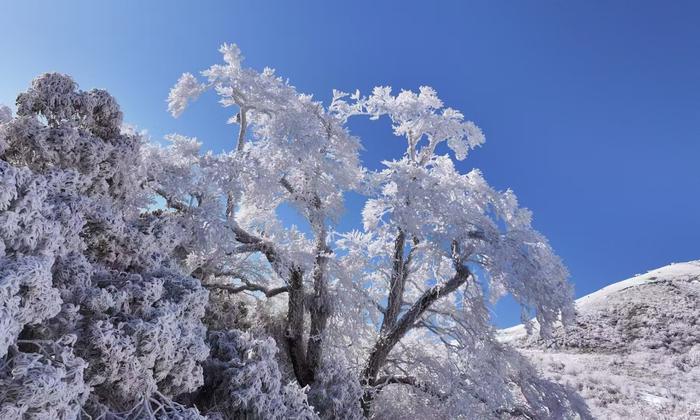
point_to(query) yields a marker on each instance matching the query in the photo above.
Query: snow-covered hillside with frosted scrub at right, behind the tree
(634, 352)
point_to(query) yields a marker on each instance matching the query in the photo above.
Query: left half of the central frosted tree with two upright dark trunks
(291, 151)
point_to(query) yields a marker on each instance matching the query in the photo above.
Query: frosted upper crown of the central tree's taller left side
(279, 129)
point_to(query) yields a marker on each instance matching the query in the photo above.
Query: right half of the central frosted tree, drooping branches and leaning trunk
(440, 220)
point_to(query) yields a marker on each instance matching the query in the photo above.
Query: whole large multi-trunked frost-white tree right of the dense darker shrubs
(397, 307)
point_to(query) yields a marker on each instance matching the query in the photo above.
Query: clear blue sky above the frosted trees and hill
(591, 109)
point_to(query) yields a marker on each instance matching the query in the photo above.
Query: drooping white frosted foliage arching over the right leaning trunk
(436, 205)
